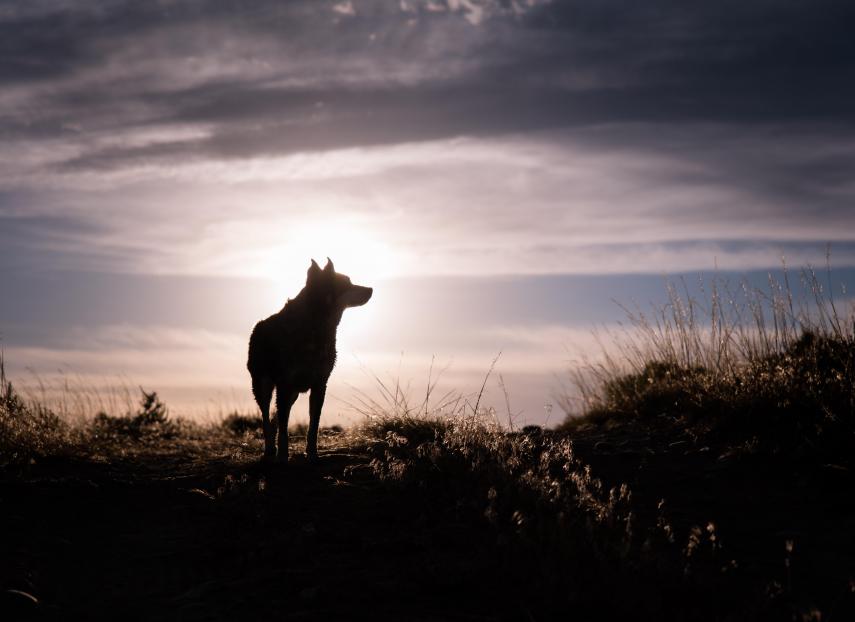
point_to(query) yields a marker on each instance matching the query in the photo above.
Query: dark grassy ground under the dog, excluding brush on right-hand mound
(421, 518)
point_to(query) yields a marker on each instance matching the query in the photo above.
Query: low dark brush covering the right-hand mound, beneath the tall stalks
(801, 399)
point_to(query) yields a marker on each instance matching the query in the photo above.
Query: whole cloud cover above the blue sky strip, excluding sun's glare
(627, 131)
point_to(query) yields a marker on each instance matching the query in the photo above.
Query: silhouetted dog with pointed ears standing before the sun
(294, 351)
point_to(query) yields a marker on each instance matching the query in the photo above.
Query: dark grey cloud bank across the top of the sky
(282, 77)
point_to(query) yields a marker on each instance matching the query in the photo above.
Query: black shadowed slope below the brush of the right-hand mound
(784, 523)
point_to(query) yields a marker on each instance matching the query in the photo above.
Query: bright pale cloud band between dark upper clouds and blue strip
(607, 199)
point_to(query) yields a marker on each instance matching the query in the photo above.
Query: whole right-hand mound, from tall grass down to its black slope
(750, 396)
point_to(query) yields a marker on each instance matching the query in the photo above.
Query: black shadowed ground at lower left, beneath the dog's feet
(170, 536)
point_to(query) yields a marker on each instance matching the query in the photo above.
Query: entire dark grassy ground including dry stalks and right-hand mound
(705, 472)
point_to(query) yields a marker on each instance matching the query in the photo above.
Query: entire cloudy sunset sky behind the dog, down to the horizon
(501, 172)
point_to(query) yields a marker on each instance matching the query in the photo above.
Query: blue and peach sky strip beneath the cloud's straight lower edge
(535, 328)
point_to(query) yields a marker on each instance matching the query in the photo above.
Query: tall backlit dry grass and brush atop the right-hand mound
(774, 361)
